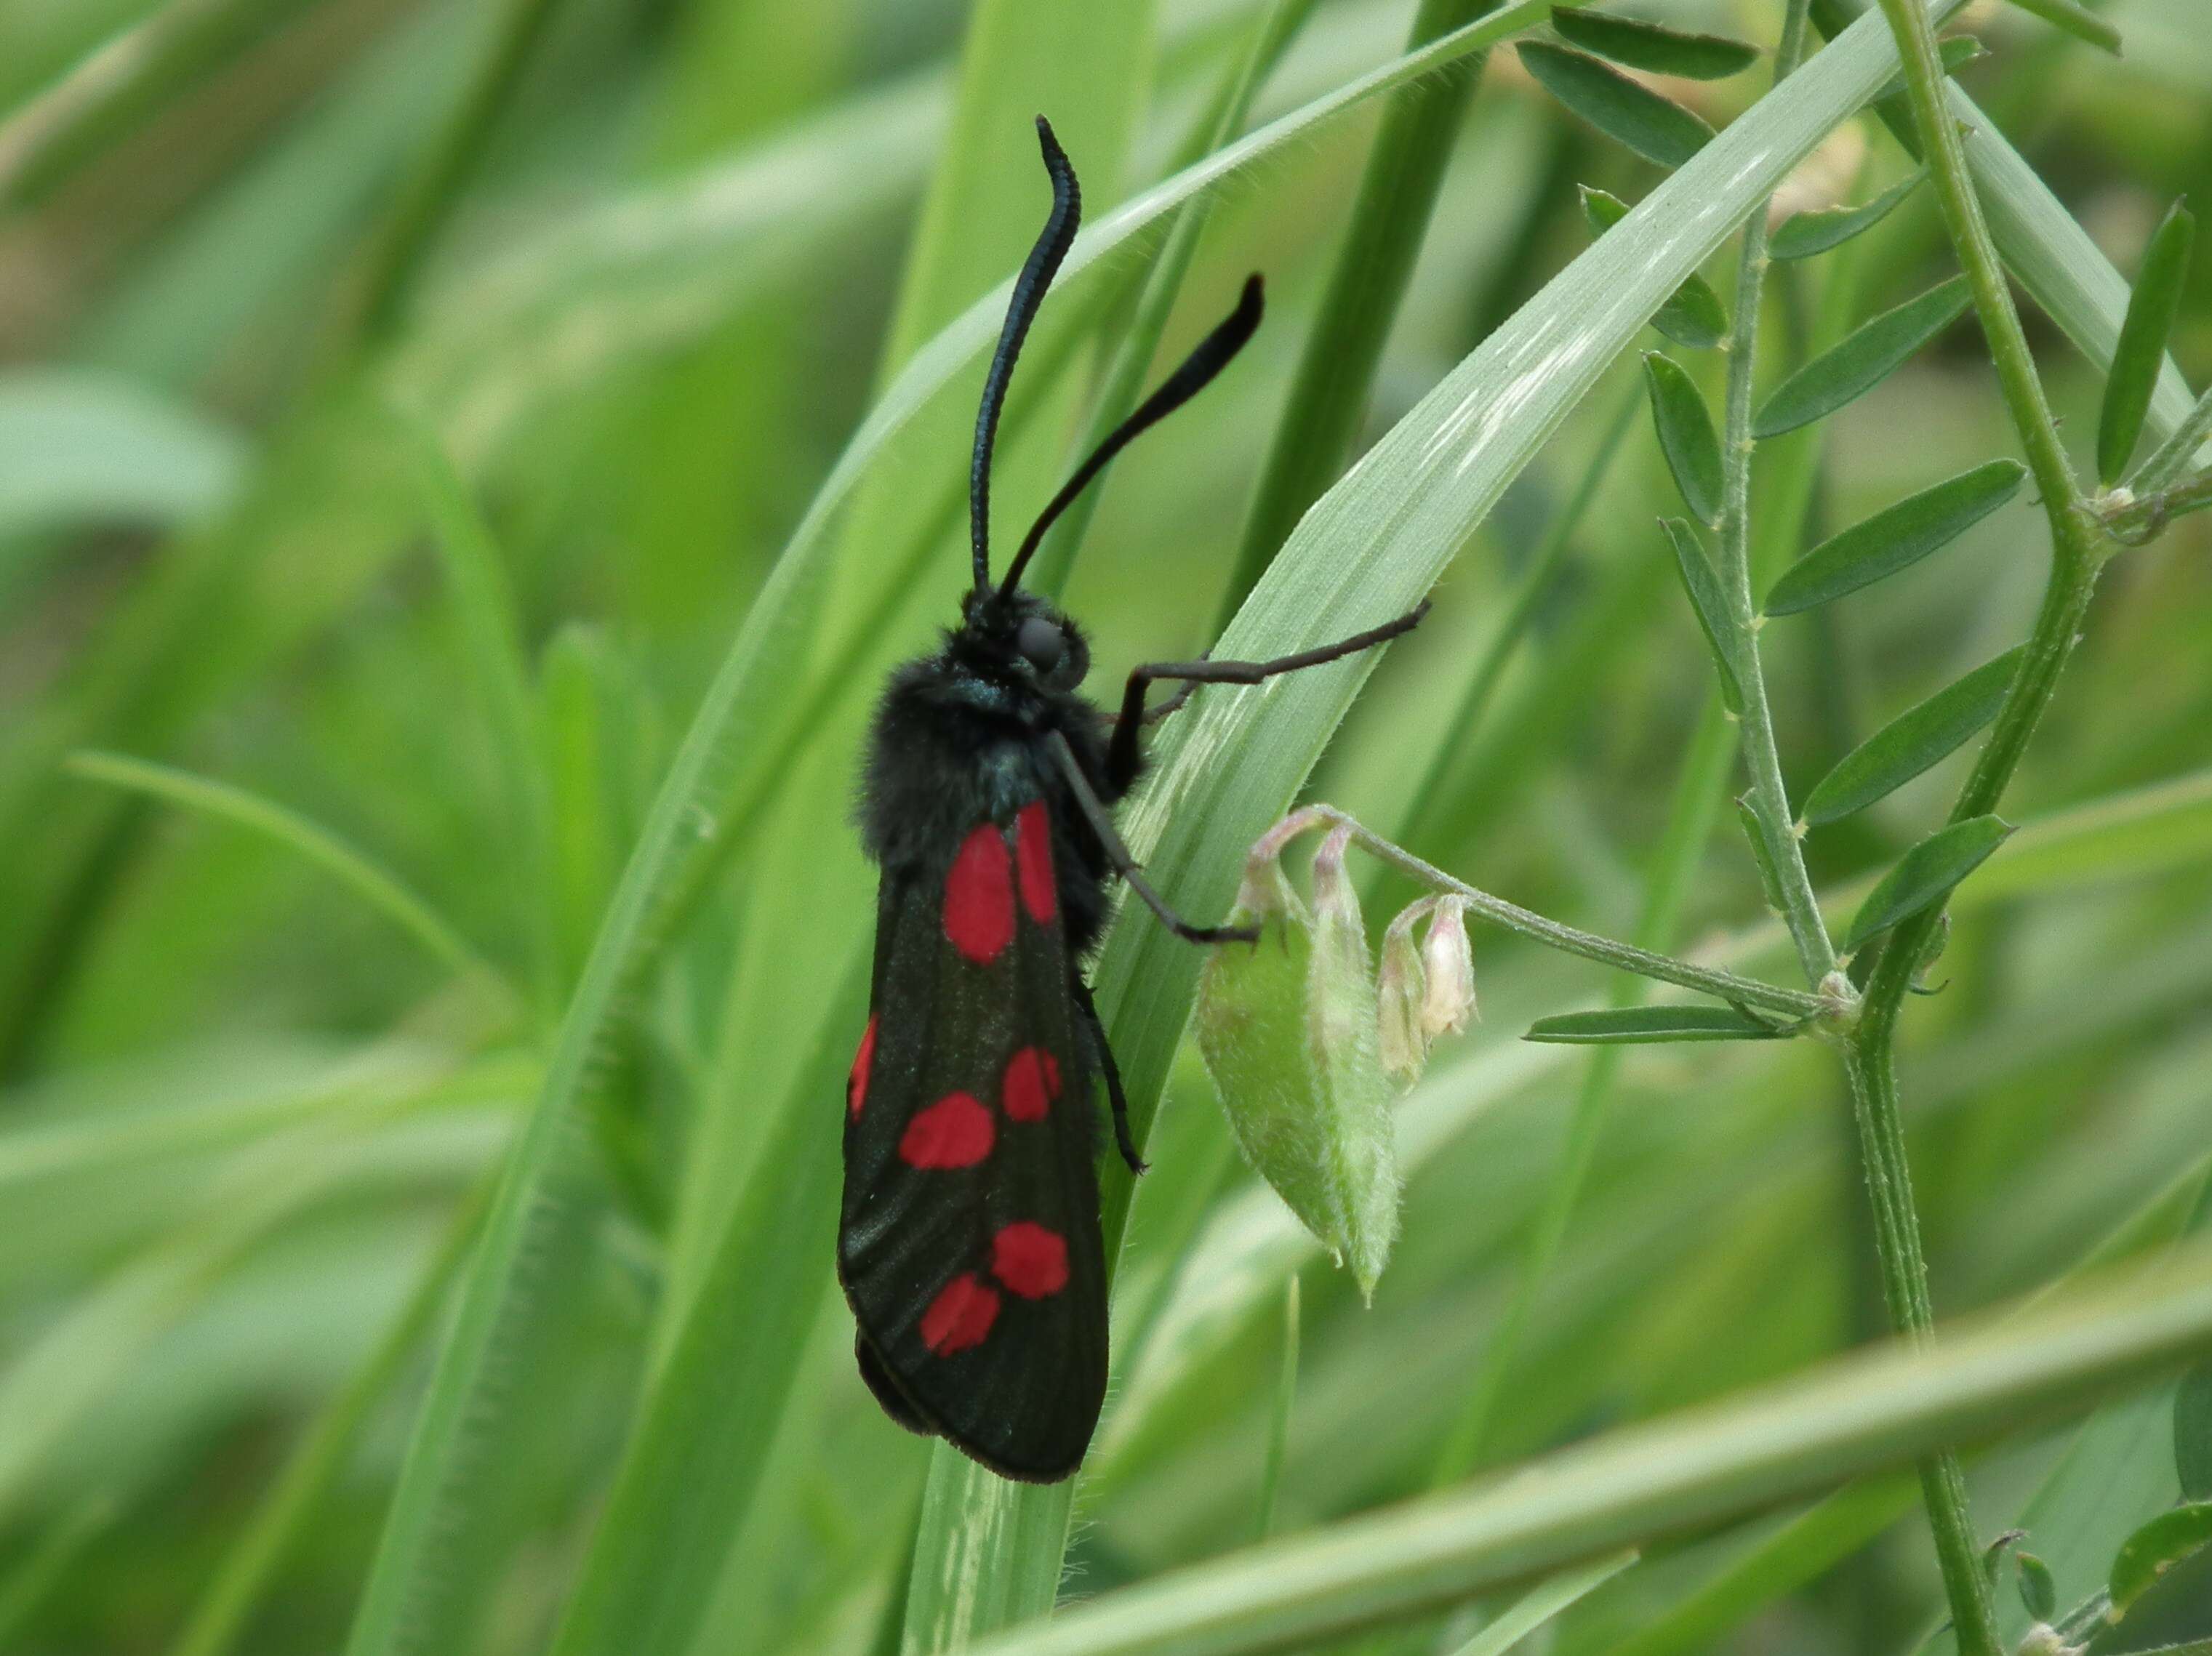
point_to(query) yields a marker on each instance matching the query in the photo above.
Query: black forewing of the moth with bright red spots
(970, 1241)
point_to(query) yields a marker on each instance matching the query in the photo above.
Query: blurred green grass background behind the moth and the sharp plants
(249, 1102)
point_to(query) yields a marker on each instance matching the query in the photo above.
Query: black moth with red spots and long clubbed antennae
(970, 1241)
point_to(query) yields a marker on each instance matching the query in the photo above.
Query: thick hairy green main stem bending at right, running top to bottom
(2074, 574)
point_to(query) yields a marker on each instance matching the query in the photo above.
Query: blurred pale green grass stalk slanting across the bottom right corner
(1695, 1471)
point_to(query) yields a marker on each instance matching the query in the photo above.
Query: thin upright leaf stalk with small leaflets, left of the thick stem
(1762, 755)
